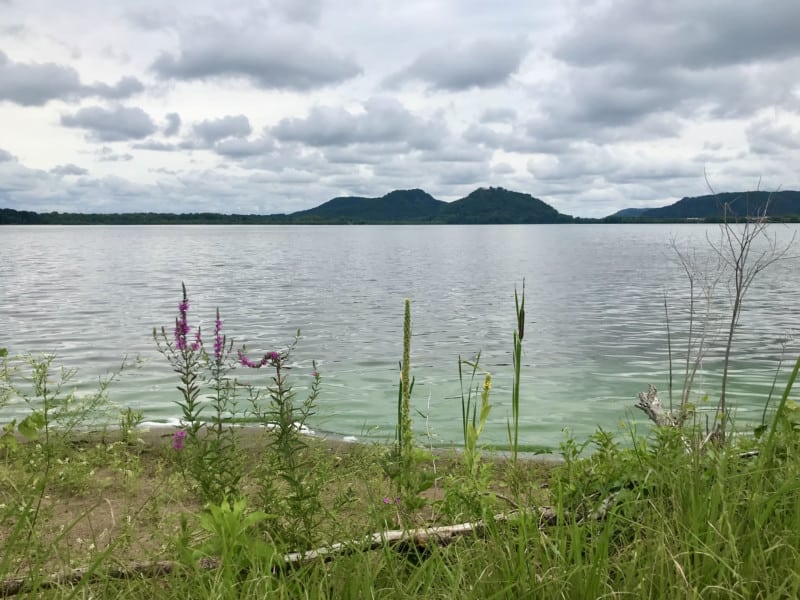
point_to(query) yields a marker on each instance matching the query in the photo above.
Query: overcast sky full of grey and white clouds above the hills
(280, 105)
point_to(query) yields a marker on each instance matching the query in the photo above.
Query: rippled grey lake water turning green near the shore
(595, 336)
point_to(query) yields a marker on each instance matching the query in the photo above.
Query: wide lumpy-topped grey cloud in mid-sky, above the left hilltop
(384, 120)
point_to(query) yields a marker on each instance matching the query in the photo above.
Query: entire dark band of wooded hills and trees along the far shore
(483, 206)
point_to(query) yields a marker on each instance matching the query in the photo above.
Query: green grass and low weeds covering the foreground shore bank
(640, 519)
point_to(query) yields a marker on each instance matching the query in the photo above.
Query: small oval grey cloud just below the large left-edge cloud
(111, 125)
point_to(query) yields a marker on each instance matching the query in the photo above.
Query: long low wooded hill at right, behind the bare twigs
(740, 204)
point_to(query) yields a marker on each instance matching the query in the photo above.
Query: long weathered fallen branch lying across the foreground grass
(400, 538)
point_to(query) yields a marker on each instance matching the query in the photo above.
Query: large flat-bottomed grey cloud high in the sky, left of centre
(280, 59)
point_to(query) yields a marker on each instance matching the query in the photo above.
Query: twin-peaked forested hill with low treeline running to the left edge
(484, 205)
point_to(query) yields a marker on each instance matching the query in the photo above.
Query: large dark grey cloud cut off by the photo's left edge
(35, 84)
